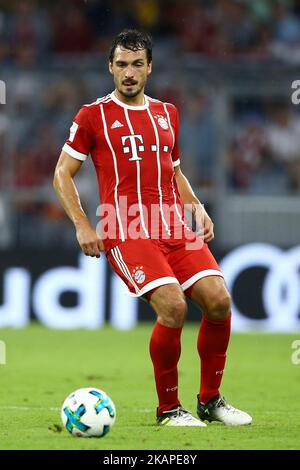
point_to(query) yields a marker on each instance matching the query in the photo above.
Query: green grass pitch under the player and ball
(44, 366)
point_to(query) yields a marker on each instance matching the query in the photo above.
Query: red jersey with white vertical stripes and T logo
(134, 150)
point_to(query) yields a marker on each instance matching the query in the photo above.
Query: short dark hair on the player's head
(133, 40)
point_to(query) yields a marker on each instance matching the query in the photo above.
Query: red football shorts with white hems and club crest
(146, 264)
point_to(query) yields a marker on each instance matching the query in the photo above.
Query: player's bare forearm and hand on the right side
(189, 198)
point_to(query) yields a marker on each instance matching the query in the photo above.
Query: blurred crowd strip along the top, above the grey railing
(32, 31)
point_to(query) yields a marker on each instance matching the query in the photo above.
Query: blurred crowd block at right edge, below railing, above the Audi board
(264, 153)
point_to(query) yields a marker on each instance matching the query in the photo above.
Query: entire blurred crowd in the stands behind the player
(261, 151)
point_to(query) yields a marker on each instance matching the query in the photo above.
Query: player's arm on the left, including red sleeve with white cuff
(74, 153)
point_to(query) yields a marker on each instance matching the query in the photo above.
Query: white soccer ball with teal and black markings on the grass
(88, 412)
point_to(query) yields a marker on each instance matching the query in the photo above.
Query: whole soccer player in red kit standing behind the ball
(133, 142)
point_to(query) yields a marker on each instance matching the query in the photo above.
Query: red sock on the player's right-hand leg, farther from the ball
(212, 345)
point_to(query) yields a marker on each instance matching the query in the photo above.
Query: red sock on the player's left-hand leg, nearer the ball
(165, 351)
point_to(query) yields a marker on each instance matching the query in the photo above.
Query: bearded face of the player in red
(130, 70)
